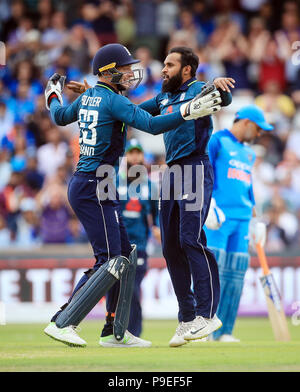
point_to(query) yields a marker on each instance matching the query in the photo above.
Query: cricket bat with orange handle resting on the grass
(274, 304)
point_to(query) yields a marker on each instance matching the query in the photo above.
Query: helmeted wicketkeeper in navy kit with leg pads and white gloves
(103, 114)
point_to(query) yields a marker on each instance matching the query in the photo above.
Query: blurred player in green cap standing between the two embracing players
(139, 209)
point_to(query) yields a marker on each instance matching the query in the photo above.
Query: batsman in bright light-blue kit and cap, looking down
(228, 224)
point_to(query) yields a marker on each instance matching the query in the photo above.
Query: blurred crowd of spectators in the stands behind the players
(256, 42)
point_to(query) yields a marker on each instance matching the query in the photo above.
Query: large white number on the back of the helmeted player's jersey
(88, 120)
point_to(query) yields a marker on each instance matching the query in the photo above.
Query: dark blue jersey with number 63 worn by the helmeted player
(103, 115)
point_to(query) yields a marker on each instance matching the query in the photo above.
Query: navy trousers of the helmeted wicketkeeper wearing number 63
(104, 227)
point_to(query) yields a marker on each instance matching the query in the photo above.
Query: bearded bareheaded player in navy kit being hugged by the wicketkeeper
(181, 216)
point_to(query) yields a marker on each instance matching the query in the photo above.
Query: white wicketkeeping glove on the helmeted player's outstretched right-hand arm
(204, 104)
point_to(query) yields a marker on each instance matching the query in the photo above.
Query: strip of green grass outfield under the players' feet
(26, 348)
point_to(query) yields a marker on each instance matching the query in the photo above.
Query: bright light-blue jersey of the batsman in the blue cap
(232, 163)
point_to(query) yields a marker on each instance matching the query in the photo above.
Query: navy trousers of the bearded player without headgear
(182, 216)
